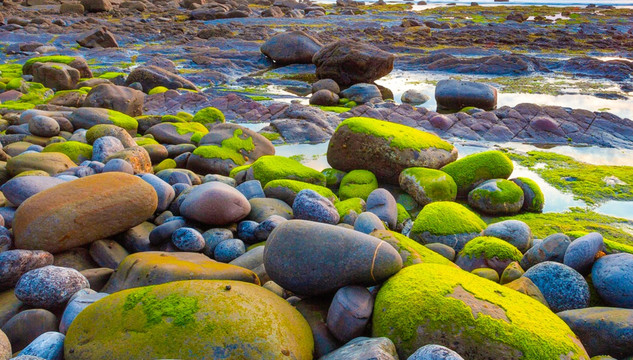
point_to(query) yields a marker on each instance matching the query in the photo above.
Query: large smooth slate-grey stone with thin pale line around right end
(311, 258)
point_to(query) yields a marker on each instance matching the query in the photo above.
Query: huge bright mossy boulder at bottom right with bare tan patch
(437, 304)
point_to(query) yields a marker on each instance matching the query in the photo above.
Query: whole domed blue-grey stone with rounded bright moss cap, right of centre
(448, 223)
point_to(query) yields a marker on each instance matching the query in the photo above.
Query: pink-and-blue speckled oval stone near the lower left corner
(50, 286)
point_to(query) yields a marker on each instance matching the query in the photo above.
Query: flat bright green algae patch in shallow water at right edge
(585, 181)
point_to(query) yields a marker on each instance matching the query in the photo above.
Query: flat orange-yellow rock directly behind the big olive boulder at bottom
(155, 267)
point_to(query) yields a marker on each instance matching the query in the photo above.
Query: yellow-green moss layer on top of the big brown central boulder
(401, 136)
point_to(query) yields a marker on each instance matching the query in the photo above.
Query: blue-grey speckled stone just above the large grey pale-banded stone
(310, 205)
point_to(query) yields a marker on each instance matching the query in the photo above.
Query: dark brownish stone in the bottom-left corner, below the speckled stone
(27, 325)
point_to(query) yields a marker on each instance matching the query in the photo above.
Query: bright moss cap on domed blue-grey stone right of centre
(447, 218)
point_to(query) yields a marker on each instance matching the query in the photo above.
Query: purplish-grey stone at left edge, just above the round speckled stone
(15, 263)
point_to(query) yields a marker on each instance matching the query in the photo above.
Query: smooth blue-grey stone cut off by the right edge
(612, 276)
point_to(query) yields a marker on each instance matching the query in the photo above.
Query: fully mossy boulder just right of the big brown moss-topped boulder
(472, 170)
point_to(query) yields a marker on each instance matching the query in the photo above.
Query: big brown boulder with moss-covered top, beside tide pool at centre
(386, 148)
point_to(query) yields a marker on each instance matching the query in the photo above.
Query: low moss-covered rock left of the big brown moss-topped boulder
(271, 167)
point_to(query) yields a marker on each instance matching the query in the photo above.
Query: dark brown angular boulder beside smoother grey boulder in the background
(351, 62)
